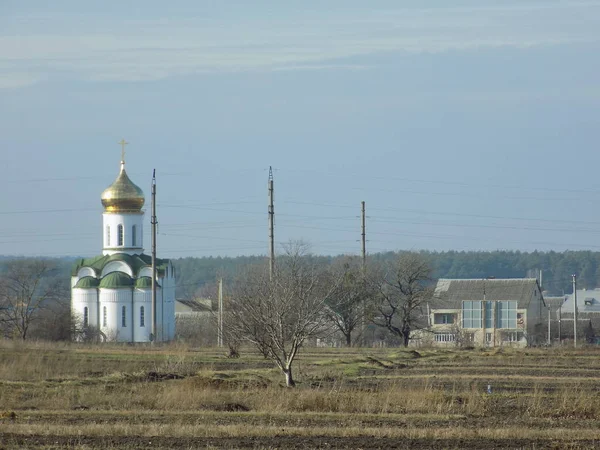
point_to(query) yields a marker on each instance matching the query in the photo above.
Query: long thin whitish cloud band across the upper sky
(144, 50)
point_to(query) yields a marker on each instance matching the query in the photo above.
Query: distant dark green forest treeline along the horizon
(194, 273)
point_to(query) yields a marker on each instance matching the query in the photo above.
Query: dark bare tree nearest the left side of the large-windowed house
(402, 290)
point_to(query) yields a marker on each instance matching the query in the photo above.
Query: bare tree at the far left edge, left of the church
(25, 289)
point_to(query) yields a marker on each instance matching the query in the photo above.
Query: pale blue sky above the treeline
(463, 125)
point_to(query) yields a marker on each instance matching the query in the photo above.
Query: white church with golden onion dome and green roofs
(113, 292)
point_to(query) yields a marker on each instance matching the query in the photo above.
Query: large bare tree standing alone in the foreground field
(278, 315)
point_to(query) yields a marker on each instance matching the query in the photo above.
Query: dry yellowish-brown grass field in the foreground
(74, 396)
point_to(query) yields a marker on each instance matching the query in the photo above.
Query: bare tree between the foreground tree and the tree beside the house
(348, 300)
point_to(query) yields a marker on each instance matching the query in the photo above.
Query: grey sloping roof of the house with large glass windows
(450, 293)
